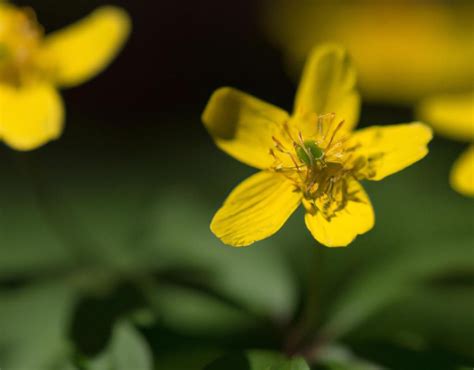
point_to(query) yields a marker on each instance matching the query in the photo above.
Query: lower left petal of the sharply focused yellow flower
(255, 209)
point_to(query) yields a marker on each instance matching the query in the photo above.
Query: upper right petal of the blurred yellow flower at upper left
(84, 49)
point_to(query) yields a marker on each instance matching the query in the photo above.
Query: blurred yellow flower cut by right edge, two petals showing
(452, 115)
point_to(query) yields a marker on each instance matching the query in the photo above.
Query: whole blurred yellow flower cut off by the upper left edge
(32, 66)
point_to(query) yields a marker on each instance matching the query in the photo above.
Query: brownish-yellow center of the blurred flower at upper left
(20, 37)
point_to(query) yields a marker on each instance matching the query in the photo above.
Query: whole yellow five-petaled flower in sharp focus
(311, 157)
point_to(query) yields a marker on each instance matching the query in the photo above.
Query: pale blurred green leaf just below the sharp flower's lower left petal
(240, 274)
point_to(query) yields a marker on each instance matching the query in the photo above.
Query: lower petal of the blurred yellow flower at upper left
(30, 115)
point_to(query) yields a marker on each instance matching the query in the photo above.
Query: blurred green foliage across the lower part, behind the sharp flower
(107, 262)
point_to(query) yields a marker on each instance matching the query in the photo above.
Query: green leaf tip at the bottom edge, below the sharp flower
(258, 360)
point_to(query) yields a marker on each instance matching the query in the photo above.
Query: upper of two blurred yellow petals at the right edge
(450, 115)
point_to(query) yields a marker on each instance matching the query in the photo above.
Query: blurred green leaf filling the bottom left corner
(33, 322)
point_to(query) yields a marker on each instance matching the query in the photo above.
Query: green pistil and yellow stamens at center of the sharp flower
(317, 165)
